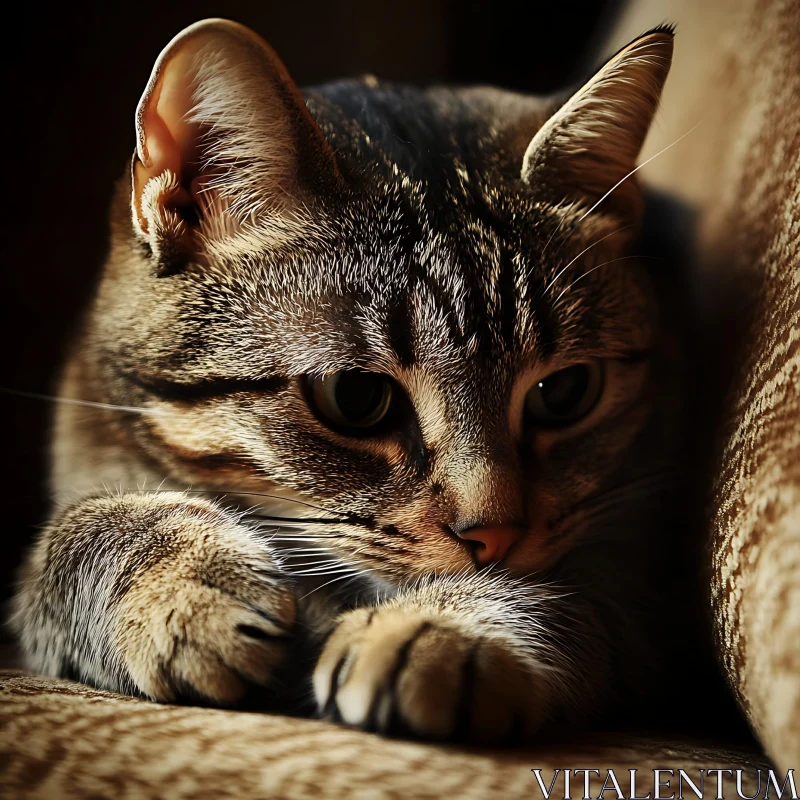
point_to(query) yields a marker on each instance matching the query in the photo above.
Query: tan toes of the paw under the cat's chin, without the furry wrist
(401, 671)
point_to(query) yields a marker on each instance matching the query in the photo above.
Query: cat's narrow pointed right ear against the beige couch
(592, 142)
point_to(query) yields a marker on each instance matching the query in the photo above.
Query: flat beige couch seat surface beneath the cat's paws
(60, 739)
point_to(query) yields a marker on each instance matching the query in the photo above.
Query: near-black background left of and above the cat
(72, 78)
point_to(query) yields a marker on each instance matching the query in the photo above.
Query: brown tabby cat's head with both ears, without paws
(419, 309)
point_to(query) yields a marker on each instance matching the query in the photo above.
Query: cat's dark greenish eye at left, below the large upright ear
(352, 399)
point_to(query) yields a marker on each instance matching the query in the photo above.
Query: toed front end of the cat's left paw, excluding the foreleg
(209, 616)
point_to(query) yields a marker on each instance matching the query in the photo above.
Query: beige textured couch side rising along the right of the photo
(736, 76)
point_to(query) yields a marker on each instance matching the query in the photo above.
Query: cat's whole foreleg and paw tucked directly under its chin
(474, 658)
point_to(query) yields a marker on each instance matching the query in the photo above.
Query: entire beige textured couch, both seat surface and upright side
(737, 73)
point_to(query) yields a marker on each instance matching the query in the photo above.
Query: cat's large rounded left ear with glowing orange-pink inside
(225, 145)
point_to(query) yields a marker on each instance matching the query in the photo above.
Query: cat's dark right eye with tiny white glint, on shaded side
(565, 396)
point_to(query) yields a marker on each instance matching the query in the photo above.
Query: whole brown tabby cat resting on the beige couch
(384, 404)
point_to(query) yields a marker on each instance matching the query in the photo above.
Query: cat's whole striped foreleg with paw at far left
(154, 593)
